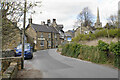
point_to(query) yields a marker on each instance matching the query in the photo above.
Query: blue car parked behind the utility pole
(28, 51)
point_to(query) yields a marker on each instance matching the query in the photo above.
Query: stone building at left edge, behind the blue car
(11, 35)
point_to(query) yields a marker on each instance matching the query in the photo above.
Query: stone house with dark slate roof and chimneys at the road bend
(43, 36)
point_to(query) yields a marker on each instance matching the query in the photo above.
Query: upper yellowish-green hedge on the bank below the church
(102, 33)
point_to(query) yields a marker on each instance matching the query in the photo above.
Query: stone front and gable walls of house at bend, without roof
(32, 35)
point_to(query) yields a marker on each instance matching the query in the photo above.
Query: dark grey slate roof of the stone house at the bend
(44, 28)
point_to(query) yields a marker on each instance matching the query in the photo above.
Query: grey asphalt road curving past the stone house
(53, 65)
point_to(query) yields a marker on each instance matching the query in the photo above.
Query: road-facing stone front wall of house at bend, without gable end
(54, 41)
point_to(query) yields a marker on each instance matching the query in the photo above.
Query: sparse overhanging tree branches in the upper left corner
(14, 10)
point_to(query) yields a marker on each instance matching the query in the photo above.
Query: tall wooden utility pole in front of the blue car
(23, 35)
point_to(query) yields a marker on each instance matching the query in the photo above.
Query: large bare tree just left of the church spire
(85, 17)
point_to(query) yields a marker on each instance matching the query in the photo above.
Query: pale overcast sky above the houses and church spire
(66, 11)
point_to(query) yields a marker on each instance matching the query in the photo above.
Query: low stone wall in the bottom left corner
(10, 67)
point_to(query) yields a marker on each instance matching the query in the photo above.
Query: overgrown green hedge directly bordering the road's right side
(102, 53)
